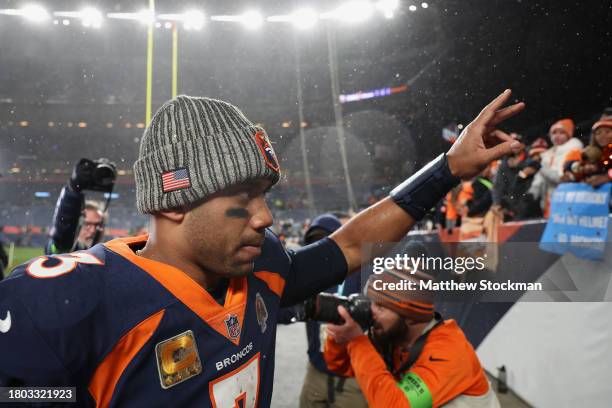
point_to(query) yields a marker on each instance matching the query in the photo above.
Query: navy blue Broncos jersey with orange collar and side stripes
(130, 331)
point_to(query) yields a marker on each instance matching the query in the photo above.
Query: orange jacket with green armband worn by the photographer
(446, 368)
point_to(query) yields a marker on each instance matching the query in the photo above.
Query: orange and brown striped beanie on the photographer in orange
(415, 304)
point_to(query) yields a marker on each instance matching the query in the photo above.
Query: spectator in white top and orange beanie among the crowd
(546, 180)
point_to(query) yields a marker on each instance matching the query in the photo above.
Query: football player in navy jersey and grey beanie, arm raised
(187, 316)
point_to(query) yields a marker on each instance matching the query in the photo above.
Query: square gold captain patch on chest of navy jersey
(177, 359)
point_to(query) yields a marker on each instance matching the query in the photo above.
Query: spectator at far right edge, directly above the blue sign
(593, 164)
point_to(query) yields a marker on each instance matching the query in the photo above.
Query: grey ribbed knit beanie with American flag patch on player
(194, 147)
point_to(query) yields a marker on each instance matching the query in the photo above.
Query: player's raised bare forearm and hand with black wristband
(389, 220)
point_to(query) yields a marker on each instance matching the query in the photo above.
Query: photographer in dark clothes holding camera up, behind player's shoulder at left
(76, 218)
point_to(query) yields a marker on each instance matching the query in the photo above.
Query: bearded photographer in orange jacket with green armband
(411, 358)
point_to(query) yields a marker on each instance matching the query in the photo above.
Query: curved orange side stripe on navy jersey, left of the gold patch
(106, 376)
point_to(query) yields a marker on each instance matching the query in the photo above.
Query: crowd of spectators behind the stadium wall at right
(519, 187)
